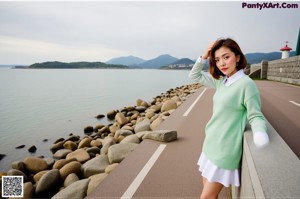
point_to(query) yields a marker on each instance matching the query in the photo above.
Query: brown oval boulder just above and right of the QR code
(34, 164)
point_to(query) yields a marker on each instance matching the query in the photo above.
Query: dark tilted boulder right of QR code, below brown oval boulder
(48, 182)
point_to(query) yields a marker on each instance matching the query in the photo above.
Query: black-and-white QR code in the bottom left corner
(12, 186)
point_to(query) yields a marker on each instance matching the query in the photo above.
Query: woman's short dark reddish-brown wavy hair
(234, 47)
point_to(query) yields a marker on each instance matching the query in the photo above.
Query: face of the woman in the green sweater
(226, 61)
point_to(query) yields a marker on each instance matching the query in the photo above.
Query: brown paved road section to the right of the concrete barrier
(281, 107)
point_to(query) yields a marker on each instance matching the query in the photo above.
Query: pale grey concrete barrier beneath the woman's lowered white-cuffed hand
(270, 172)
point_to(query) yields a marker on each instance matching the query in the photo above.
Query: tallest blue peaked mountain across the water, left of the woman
(158, 62)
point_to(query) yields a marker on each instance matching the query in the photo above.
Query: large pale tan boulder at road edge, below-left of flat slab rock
(118, 152)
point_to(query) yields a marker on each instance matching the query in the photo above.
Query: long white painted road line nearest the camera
(143, 173)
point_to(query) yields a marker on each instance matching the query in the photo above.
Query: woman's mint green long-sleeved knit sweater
(232, 106)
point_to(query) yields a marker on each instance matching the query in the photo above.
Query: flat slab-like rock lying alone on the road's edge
(161, 135)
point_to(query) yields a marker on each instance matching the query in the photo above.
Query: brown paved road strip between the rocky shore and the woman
(175, 173)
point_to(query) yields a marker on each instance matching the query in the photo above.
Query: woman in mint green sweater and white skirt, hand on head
(236, 99)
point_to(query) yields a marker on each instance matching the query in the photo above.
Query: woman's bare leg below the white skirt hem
(210, 190)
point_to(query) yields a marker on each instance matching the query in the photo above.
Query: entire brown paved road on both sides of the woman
(169, 170)
